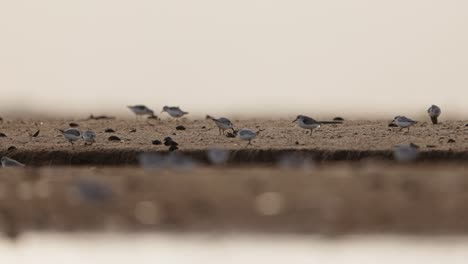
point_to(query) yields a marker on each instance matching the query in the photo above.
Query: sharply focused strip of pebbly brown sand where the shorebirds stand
(352, 140)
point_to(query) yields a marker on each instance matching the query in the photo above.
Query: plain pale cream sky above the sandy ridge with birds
(257, 57)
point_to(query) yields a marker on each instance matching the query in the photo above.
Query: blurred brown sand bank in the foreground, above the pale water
(330, 199)
